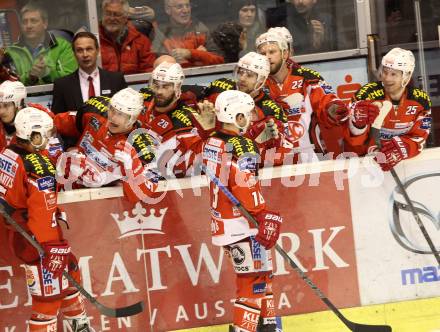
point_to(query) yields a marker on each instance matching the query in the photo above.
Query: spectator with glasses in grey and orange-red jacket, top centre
(185, 38)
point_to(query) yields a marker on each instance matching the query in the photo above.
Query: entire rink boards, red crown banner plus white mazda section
(345, 225)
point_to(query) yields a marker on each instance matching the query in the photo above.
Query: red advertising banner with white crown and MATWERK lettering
(163, 255)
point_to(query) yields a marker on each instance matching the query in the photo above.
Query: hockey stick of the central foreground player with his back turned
(355, 327)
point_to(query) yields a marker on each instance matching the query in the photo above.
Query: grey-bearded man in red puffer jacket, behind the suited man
(123, 48)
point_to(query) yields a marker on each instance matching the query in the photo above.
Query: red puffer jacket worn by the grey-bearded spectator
(134, 56)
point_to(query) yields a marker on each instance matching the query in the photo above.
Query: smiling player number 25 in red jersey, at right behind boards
(406, 127)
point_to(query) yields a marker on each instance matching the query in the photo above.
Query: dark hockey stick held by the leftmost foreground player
(130, 310)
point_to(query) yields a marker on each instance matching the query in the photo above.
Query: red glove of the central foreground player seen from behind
(269, 224)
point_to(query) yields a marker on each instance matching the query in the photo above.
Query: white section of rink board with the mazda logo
(380, 256)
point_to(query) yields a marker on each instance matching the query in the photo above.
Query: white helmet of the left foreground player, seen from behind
(30, 120)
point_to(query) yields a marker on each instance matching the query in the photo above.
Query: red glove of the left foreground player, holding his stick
(56, 257)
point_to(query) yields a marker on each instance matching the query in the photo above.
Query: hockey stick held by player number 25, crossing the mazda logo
(375, 131)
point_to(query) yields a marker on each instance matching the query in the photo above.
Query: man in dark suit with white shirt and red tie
(71, 91)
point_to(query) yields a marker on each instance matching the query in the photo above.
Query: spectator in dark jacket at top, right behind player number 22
(312, 28)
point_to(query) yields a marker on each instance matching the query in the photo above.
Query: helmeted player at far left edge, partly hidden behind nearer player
(12, 95)
